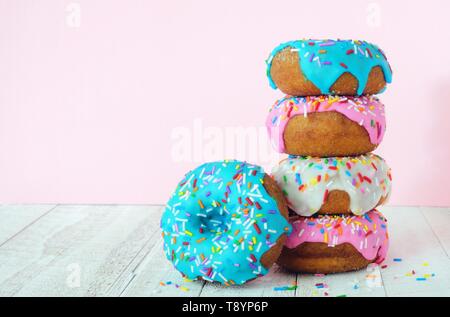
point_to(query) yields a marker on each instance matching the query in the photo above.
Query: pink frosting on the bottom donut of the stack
(367, 233)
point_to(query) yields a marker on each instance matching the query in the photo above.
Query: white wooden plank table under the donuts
(116, 250)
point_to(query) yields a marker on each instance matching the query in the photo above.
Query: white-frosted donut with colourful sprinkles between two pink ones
(334, 185)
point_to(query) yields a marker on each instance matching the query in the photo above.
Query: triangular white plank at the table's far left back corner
(15, 218)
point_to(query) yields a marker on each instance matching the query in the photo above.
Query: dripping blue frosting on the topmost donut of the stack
(324, 61)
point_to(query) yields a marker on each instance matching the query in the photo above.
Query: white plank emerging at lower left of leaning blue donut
(155, 276)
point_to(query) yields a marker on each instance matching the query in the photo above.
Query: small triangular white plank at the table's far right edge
(439, 220)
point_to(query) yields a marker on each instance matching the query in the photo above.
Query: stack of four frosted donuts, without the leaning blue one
(329, 122)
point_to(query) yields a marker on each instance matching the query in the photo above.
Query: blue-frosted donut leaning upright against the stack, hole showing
(226, 222)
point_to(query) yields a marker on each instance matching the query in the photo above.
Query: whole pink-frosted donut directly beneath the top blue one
(326, 125)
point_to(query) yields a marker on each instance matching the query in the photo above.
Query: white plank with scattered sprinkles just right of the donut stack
(413, 242)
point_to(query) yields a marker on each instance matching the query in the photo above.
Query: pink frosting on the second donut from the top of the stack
(367, 111)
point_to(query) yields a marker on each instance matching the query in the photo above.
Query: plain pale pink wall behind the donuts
(112, 101)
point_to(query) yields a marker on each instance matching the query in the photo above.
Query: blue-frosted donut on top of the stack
(323, 67)
